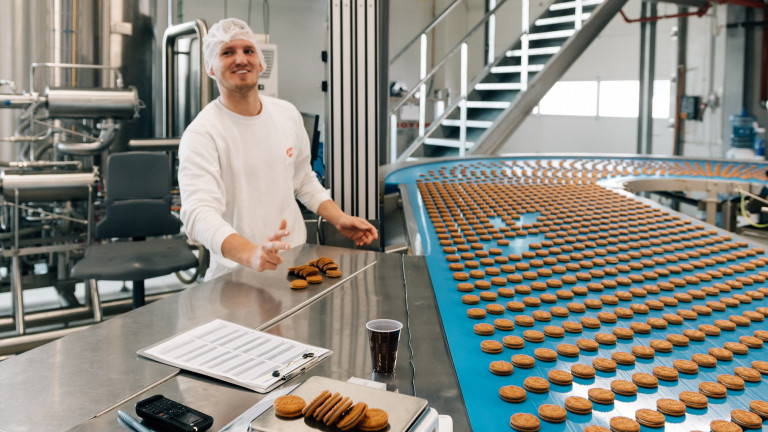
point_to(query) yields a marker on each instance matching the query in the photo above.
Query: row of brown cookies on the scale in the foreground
(333, 409)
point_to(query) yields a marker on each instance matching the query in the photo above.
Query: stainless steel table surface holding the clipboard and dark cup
(79, 381)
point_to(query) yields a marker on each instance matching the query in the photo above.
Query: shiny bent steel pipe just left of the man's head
(196, 27)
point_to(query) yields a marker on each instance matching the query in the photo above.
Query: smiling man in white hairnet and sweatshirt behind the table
(244, 160)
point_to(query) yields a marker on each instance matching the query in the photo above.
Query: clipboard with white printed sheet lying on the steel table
(233, 353)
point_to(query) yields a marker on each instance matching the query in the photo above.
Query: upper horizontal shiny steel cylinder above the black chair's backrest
(92, 103)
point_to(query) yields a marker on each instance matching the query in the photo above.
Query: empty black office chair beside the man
(137, 206)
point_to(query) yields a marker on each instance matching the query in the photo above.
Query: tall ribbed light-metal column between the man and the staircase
(357, 103)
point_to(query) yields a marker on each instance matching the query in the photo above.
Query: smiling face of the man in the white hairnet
(238, 67)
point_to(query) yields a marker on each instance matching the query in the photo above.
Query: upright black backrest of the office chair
(138, 200)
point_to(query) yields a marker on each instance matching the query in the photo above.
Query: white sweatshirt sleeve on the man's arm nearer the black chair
(202, 190)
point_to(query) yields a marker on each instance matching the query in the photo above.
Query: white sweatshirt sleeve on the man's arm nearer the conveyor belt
(306, 186)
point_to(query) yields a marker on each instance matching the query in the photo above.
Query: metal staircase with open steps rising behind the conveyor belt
(499, 99)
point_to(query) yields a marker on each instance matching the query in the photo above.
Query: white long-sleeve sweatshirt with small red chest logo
(241, 174)
